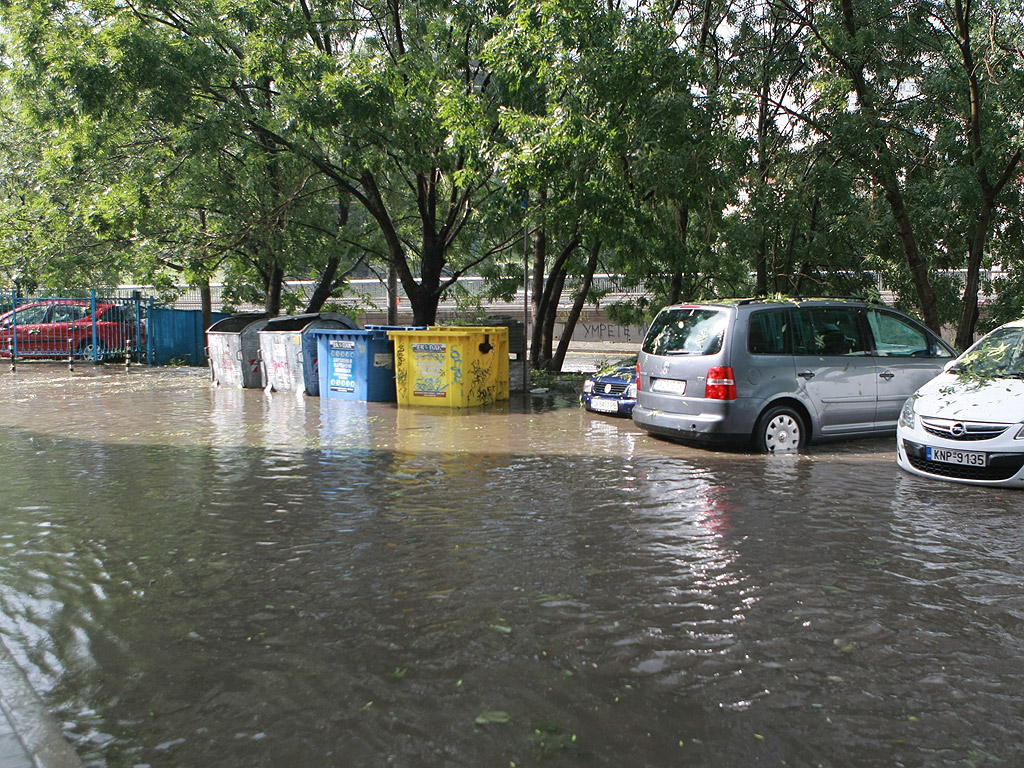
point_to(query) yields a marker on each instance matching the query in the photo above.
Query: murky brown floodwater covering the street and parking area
(200, 577)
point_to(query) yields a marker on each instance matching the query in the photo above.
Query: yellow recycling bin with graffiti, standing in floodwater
(452, 366)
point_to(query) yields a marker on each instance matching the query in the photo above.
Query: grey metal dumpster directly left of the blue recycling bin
(288, 351)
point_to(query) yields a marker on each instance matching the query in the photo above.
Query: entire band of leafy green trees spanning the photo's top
(693, 148)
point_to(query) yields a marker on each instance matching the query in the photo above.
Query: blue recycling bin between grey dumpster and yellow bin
(358, 365)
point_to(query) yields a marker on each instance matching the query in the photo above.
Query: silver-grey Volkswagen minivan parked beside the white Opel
(778, 374)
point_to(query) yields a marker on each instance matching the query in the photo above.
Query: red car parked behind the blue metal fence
(65, 327)
